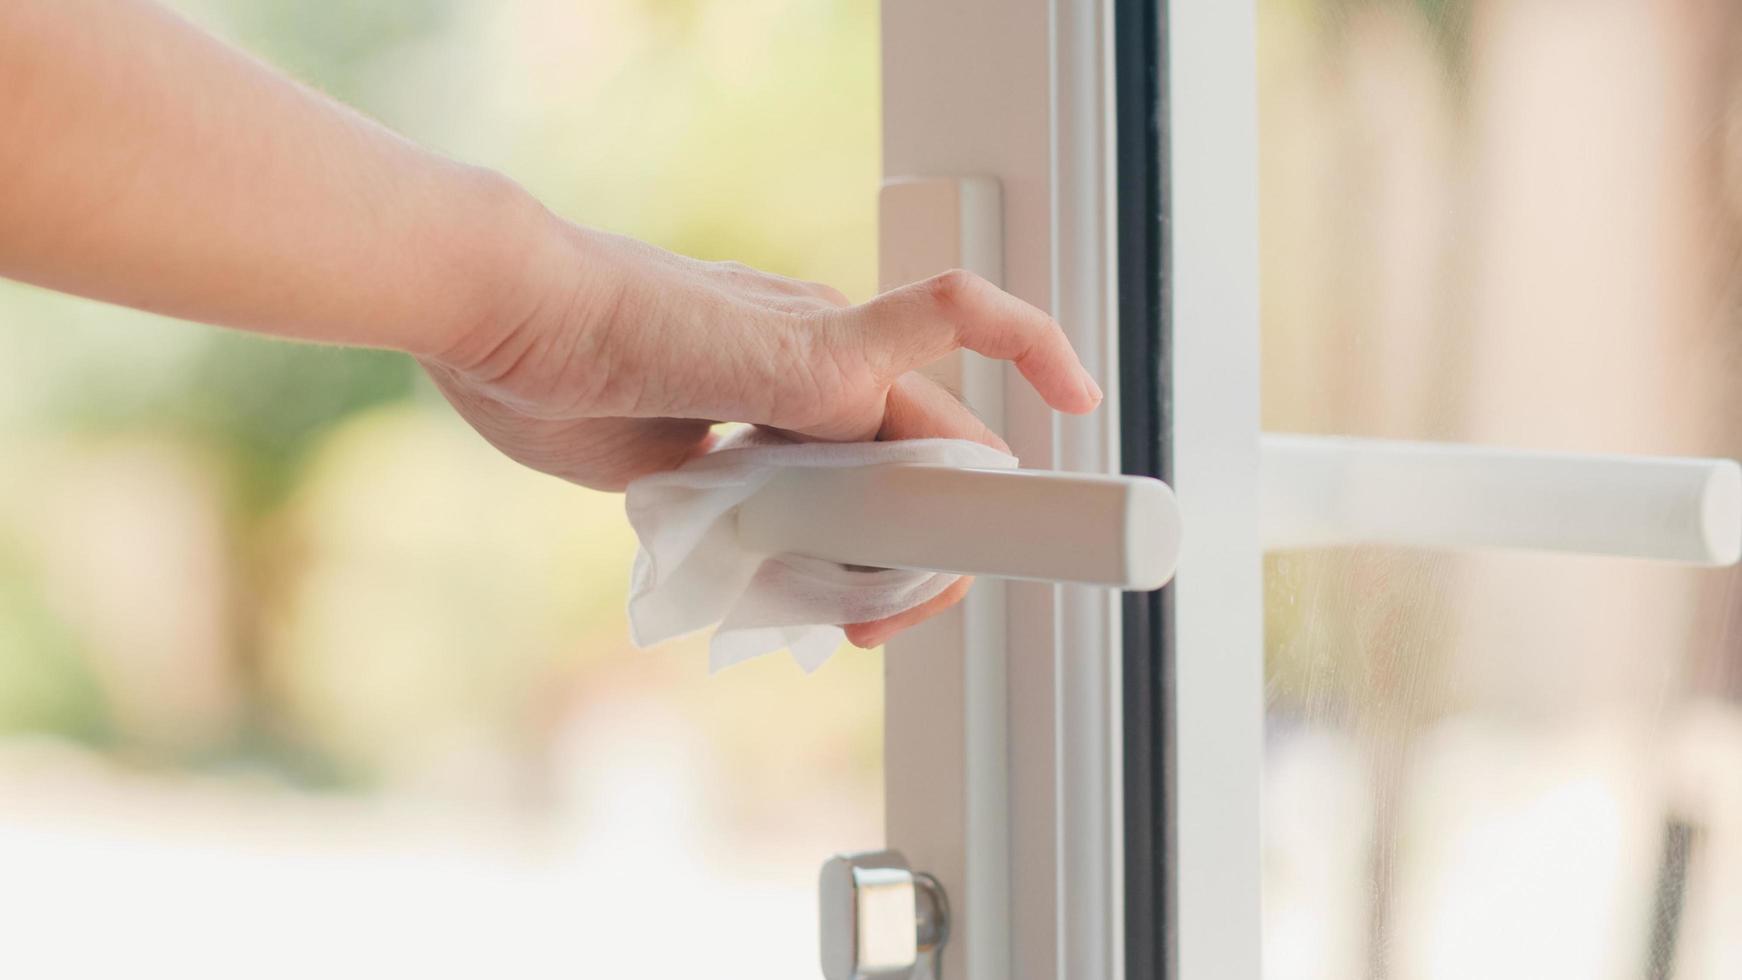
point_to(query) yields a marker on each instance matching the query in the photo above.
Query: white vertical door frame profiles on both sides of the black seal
(1004, 734)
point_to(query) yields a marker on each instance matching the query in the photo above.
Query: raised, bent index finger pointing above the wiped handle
(917, 325)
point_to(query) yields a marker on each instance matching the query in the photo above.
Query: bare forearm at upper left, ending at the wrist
(147, 164)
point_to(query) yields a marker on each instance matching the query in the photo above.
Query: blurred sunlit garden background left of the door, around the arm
(299, 678)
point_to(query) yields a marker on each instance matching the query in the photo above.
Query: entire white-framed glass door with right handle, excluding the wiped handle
(1426, 314)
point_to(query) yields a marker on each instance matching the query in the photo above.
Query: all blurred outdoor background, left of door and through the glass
(297, 678)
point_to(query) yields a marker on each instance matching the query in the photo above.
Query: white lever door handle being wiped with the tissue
(1039, 525)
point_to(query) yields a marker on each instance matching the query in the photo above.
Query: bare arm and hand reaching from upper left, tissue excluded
(147, 164)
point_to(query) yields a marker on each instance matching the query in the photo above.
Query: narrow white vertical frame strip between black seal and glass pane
(1219, 596)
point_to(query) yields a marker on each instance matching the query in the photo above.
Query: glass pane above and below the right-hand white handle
(1511, 224)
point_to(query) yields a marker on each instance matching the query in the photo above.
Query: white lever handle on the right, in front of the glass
(1323, 492)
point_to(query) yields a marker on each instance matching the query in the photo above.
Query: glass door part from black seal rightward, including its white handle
(1489, 253)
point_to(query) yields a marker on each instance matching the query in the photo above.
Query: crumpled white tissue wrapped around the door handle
(692, 574)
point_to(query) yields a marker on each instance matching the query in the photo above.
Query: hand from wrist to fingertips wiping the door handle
(618, 358)
